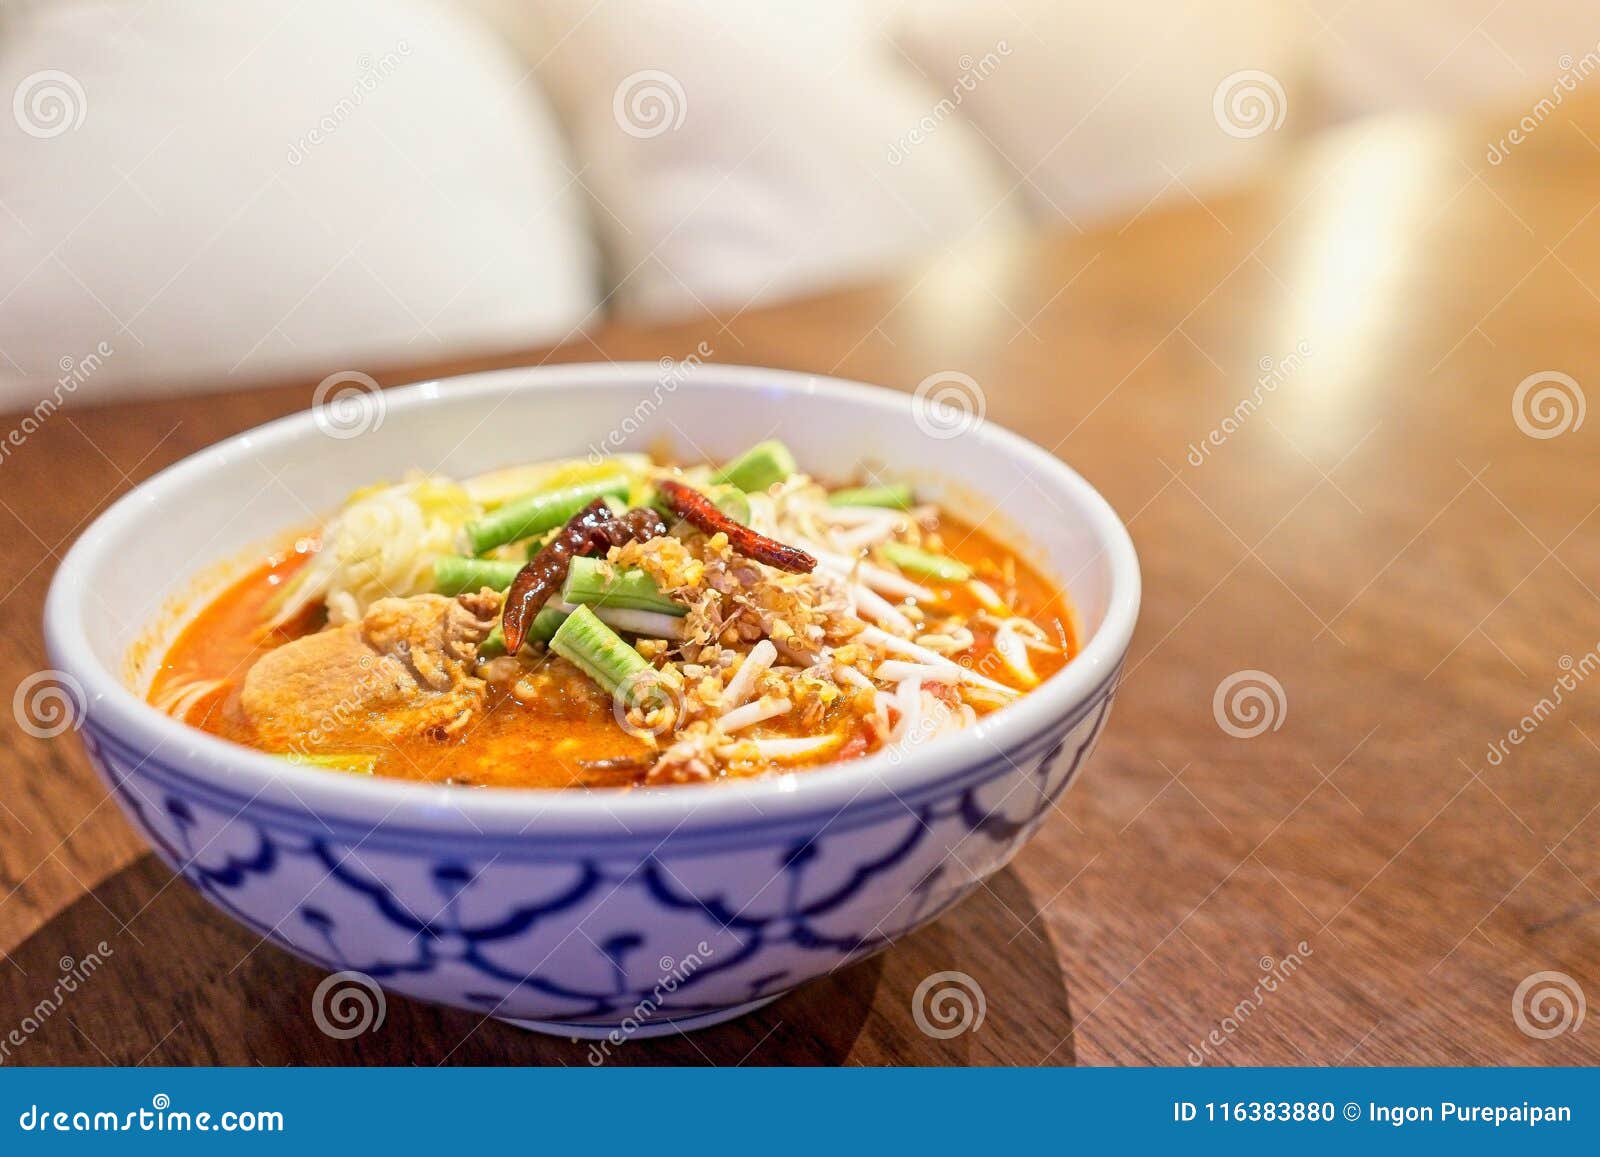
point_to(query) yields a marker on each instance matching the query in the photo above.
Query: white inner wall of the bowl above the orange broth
(207, 516)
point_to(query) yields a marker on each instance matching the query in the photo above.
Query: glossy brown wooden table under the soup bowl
(1375, 530)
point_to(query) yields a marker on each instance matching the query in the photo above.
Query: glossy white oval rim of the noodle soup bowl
(530, 812)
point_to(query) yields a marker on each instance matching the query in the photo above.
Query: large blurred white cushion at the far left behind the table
(230, 191)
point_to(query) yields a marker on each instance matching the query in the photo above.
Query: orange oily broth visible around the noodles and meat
(566, 732)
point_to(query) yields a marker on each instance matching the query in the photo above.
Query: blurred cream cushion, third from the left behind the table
(1100, 106)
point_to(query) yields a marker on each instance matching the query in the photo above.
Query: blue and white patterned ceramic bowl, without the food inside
(583, 913)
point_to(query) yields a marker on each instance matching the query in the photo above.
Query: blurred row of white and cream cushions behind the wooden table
(204, 196)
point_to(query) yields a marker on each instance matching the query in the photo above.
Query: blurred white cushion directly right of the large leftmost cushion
(743, 153)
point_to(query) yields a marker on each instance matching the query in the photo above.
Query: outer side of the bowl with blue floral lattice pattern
(540, 931)
